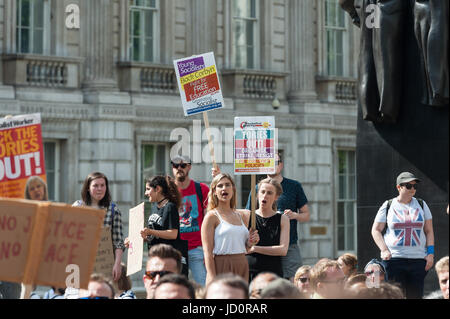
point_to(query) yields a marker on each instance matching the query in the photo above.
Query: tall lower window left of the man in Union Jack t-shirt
(346, 202)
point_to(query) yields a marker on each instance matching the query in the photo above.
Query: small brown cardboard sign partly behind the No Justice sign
(104, 261)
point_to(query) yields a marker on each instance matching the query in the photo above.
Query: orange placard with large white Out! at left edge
(21, 153)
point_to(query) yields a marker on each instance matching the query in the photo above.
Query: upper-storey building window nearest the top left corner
(33, 19)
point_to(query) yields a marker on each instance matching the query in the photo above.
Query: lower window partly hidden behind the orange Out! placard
(52, 169)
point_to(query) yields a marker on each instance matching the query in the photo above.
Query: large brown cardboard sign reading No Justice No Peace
(38, 240)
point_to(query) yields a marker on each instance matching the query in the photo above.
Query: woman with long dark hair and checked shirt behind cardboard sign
(95, 193)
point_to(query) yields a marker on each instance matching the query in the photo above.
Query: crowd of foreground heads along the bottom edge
(327, 279)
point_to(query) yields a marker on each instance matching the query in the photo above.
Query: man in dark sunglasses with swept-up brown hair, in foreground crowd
(162, 260)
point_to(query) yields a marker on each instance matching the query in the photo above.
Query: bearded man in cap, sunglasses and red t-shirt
(194, 202)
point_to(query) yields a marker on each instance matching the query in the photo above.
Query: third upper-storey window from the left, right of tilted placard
(245, 34)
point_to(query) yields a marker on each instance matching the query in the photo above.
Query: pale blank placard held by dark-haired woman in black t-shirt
(136, 248)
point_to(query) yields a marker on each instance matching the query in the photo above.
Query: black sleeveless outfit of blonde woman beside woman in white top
(269, 231)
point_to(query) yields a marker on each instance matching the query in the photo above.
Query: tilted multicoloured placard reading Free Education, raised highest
(198, 83)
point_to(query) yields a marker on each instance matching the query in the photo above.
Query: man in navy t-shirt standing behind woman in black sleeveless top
(293, 203)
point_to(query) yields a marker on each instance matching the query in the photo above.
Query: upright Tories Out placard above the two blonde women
(255, 145)
